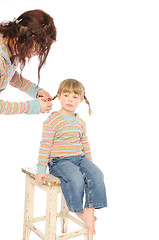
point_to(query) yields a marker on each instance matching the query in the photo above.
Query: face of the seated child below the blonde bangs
(69, 102)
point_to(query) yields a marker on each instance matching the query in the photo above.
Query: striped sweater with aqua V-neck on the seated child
(62, 136)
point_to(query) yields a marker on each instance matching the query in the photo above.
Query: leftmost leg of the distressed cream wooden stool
(28, 208)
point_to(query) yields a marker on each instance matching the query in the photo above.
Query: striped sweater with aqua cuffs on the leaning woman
(8, 74)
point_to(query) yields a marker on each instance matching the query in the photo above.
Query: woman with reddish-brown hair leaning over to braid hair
(32, 33)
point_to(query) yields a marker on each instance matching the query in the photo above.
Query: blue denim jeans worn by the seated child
(78, 175)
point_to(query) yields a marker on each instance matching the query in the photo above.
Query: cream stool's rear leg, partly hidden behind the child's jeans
(64, 211)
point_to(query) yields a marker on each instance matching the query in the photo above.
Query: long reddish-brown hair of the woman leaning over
(31, 30)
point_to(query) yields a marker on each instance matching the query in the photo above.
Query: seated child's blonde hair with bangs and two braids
(72, 85)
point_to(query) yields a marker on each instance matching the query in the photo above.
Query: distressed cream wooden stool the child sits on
(52, 188)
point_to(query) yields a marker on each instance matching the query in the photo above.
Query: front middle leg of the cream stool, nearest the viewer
(51, 213)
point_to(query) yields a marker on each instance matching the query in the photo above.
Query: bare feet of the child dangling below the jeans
(87, 216)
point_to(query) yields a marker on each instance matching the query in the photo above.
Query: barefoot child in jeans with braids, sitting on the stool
(65, 148)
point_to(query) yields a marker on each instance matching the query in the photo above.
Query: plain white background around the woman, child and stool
(112, 47)
